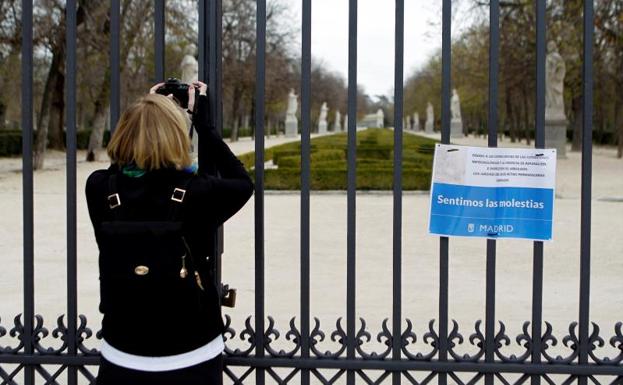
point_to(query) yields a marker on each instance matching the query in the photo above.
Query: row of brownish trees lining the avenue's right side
(517, 69)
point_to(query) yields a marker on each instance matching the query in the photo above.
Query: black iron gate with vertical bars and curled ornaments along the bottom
(31, 360)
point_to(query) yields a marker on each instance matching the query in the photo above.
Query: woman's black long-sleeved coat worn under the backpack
(209, 202)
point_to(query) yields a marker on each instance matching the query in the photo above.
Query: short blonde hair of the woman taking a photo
(151, 133)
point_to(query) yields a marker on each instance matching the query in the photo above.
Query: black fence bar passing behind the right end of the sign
(539, 142)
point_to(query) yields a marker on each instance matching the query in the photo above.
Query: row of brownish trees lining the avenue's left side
(137, 64)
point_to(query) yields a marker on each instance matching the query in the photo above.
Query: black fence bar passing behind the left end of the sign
(446, 82)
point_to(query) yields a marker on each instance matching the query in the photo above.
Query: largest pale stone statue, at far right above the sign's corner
(554, 84)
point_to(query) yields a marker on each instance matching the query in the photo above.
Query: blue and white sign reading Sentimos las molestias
(493, 192)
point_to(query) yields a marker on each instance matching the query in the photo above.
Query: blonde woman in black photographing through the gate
(153, 215)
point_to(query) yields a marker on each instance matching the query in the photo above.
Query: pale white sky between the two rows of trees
(376, 29)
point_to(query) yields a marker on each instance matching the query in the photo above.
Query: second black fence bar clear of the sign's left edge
(351, 237)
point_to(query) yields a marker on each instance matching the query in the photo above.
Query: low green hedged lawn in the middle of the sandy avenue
(328, 162)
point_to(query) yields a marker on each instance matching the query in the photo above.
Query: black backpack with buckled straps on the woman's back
(146, 267)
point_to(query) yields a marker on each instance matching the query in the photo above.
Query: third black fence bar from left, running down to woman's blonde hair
(115, 70)
